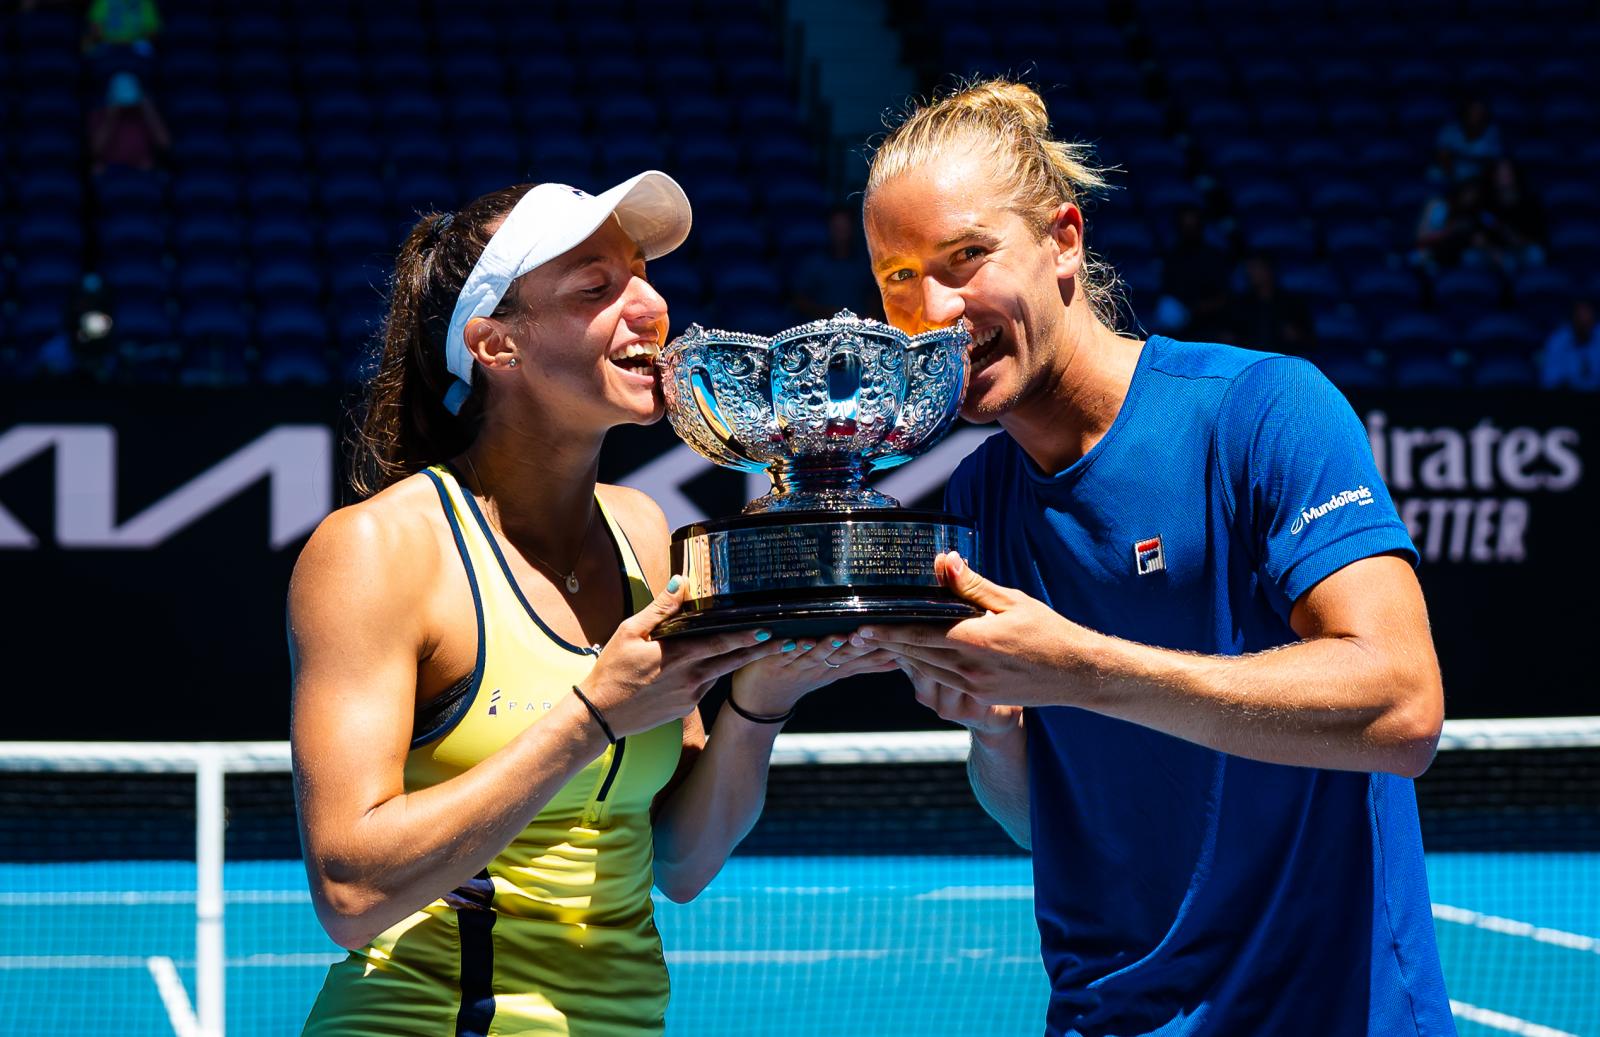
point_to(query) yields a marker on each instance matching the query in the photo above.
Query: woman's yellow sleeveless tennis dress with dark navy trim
(558, 934)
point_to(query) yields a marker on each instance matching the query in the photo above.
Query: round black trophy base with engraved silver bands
(810, 574)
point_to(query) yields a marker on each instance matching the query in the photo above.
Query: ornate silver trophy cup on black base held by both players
(817, 407)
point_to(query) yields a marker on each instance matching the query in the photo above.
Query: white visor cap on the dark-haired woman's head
(550, 222)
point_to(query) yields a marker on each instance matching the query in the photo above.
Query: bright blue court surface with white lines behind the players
(775, 947)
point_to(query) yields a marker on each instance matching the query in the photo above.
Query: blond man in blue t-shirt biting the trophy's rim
(1209, 678)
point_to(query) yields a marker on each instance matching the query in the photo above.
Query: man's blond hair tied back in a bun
(1007, 122)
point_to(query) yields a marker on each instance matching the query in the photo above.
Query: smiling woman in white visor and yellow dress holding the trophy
(494, 761)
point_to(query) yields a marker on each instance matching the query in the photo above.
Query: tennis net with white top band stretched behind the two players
(162, 883)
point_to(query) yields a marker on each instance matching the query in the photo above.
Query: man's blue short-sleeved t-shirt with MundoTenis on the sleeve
(1183, 891)
